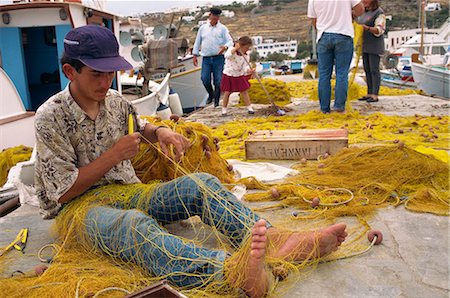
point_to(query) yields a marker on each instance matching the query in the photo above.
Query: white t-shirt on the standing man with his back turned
(333, 16)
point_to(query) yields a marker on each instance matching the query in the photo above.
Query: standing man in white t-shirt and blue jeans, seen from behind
(333, 21)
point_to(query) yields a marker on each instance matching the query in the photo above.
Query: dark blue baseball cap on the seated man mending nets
(96, 47)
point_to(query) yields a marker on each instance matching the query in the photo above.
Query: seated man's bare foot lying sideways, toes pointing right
(301, 246)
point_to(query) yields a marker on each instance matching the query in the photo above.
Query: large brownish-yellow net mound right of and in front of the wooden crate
(358, 180)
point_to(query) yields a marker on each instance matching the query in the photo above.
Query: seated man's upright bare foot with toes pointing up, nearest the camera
(254, 278)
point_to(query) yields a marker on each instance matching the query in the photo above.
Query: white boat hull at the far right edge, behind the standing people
(432, 80)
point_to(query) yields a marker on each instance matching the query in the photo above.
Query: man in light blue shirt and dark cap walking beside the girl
(213, 39)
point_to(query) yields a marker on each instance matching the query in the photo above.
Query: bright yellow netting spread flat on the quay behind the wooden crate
(413, 131)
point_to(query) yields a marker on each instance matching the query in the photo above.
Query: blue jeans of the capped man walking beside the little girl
(212, 65)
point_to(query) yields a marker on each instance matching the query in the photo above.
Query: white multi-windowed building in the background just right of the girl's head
(265, 47)
